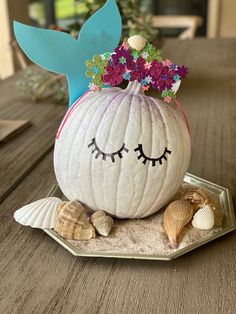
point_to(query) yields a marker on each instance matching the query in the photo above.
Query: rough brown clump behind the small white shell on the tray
(199, 198)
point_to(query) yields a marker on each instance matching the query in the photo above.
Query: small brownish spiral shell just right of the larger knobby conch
(102, 222)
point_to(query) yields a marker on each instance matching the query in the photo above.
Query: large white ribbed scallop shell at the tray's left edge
(40, 214)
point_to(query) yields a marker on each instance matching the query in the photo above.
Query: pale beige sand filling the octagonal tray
(143, 236)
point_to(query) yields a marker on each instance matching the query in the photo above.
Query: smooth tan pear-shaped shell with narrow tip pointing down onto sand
(176, 216)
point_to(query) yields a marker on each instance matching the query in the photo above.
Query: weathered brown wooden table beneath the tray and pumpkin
(39, 276)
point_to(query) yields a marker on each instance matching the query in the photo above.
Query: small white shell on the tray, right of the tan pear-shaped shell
(203, 218)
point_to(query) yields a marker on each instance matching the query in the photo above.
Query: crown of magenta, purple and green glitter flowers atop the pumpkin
(144, 65)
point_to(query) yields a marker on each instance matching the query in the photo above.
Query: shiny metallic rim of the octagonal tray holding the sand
(220, 192)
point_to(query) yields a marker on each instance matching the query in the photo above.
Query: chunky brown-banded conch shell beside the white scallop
(72, 223)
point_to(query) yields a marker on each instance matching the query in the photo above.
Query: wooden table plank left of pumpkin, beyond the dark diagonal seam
(24, 151)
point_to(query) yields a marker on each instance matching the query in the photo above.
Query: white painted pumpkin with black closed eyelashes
(122, 152)
